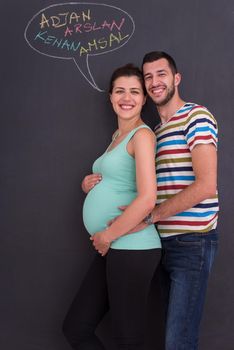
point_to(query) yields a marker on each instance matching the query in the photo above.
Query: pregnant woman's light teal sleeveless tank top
(117, 187)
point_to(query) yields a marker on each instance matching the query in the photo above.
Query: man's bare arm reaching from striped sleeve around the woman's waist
(204, 161)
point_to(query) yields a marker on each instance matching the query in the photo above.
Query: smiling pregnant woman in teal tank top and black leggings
(119, 278)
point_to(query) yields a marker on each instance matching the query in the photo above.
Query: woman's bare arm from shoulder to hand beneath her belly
(143, 147)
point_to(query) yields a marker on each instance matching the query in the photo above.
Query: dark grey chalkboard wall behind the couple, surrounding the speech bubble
(54, 123)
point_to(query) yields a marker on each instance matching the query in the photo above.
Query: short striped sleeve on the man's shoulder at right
(200, 128)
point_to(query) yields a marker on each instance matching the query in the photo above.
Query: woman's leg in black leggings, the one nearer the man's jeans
(129, 274)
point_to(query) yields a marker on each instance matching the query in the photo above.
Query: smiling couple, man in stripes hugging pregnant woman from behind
(138, 218)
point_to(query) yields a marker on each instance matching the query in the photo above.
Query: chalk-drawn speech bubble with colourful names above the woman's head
(78, 30)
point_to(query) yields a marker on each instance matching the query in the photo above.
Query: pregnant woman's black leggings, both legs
(120, 283)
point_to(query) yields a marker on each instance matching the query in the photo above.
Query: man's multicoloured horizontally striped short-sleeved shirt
(189, 126)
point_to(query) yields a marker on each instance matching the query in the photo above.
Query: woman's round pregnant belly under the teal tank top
(101, 205)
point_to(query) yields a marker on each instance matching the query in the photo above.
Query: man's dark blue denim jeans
(187, 260)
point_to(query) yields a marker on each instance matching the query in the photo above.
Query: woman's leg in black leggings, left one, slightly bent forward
(88, 308)
